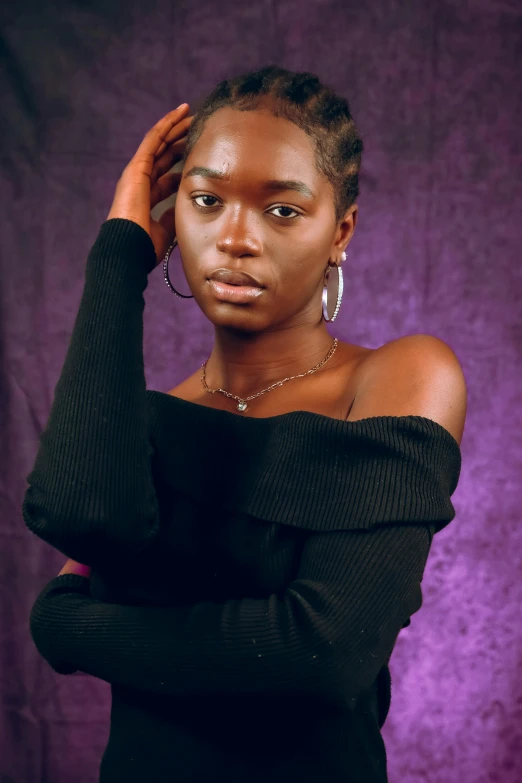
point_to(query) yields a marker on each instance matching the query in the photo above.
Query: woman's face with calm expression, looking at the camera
(280, 235)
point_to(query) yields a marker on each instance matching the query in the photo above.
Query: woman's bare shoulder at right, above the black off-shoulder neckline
(415, 375)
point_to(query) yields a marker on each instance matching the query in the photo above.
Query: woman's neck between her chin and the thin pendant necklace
(244, 364)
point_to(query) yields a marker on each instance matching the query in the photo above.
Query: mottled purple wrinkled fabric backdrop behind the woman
(435, 89)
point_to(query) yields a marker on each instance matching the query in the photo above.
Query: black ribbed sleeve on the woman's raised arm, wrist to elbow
(91, 493)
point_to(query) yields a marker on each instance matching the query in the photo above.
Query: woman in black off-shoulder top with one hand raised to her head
(258, 536)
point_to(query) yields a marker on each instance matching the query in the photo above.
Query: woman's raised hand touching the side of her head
(144, 181)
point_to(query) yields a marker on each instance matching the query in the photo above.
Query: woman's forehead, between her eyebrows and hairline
(256, 136)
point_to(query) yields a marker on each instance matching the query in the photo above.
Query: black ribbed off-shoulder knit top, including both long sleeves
(250, 576)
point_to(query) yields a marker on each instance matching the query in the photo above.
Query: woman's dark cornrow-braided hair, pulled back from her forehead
(302, 99)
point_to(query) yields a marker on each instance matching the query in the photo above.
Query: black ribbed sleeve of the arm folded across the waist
(328, 634)
